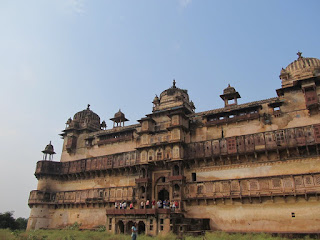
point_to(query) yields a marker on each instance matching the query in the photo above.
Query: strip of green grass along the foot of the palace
(6, 234)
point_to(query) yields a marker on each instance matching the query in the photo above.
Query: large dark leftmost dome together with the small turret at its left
(85, 119)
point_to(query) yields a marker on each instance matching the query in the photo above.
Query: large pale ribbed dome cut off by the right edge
(300, 69)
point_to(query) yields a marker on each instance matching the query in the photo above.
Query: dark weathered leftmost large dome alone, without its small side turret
(87, 118)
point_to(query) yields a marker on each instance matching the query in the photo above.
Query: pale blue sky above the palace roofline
(58, 56)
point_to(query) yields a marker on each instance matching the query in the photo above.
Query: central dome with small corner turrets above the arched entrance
(171, 98)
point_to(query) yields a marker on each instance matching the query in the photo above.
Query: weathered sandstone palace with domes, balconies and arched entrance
(252, 167)
